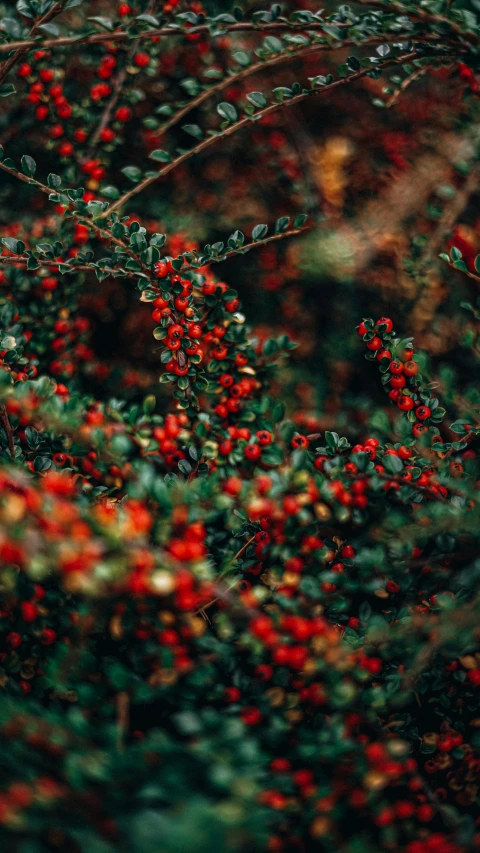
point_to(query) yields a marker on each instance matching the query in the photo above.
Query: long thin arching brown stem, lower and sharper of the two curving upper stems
(244, 122)
